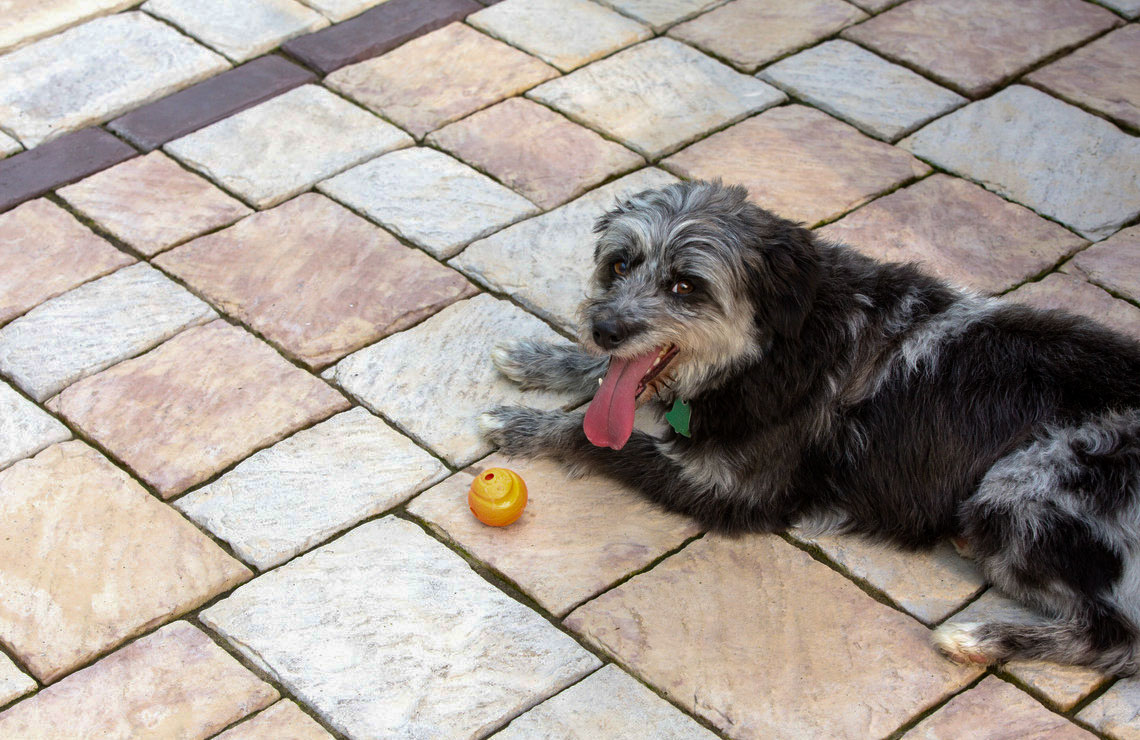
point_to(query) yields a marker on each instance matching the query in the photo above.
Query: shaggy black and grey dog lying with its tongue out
(828, 391)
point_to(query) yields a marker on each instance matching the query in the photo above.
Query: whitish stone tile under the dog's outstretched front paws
(444, 365)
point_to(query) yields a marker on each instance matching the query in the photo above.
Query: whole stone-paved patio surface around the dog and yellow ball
(253, 259)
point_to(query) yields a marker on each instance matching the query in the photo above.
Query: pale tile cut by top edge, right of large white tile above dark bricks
(239, 30)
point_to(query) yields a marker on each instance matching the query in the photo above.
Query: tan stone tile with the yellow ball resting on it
(616, 532)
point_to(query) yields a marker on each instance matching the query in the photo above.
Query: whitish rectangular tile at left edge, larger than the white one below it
(95, 327)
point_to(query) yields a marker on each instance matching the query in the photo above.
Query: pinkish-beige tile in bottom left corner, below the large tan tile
(174, 684)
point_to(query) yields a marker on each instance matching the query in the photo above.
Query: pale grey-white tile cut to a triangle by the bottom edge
(608, 704)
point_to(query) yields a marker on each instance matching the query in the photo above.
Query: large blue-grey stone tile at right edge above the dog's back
(1081, 170)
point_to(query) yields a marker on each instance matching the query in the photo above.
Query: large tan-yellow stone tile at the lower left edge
(89, 559)
